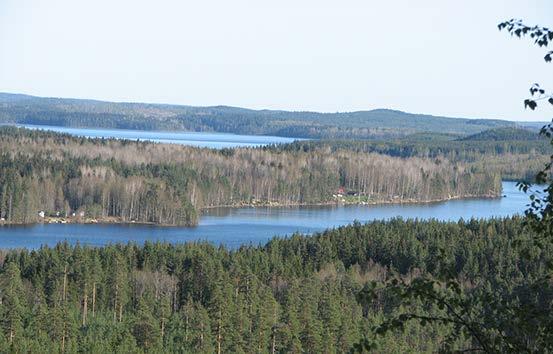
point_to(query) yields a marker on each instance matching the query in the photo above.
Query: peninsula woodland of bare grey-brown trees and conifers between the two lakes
(170, 184)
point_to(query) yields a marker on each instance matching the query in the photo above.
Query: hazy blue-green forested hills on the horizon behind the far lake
(379, 123)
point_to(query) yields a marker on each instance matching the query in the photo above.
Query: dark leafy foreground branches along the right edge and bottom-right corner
(509, 318)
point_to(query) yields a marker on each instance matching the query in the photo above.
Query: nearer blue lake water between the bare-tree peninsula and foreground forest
(235, 227)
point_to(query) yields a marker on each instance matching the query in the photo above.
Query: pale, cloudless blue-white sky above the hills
(440, 57)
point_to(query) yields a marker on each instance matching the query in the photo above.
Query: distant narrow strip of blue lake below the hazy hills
(209, 140)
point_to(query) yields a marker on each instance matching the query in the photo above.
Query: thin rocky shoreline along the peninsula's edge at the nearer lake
(110, 220)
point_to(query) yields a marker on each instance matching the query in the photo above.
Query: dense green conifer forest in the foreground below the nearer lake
(303, 294)
